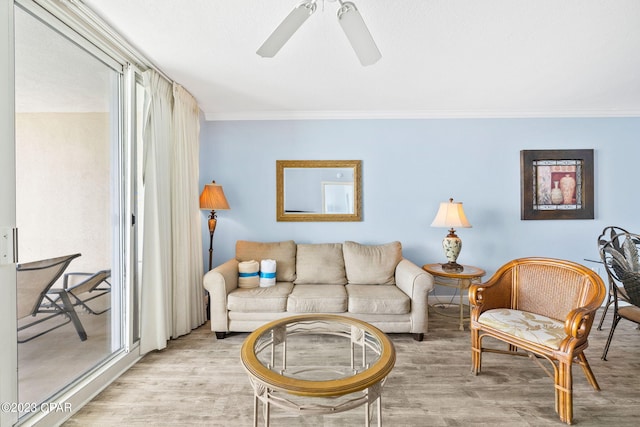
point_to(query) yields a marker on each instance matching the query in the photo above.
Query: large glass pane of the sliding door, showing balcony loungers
(68, 196)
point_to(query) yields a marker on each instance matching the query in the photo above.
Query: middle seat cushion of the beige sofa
(317, 299)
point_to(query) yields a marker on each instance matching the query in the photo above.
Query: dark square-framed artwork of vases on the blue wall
(556, 184)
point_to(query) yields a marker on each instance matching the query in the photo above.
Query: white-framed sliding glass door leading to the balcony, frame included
(70, 193)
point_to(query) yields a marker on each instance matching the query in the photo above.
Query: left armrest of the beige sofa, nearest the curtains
(219, 282)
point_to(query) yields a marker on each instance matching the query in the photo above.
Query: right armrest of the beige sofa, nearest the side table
(416, 283)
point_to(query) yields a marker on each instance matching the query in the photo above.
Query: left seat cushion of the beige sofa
(261, 300)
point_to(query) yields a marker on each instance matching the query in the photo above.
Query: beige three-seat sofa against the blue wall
(373, 283)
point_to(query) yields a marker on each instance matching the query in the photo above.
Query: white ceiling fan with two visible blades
(349, 18)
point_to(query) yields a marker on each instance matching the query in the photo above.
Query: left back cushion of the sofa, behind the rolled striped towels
(284, 253)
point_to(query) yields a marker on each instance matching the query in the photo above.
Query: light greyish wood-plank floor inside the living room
(198, 380)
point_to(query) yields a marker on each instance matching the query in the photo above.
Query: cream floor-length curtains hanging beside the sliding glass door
(171, 294)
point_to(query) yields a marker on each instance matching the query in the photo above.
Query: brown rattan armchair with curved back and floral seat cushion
(542, 308)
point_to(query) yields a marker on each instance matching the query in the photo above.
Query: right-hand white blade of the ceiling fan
(358, 34)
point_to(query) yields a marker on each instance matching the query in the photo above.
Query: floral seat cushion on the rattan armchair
(524, 325)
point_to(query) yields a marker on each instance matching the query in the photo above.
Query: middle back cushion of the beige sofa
(320, 263)
